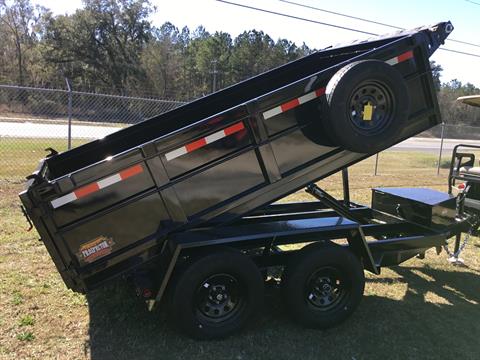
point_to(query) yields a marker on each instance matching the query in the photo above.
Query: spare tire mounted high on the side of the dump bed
(367, 104)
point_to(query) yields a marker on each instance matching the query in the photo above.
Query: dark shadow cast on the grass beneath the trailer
(121, 328)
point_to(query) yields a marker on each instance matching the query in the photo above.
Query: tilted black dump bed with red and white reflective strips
(166, 160)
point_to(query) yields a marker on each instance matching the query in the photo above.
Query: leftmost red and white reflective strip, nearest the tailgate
(96, 186)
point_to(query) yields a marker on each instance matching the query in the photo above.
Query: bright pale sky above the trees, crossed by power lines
(217, 16)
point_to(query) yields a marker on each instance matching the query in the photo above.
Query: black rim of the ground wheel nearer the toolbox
(326, 288)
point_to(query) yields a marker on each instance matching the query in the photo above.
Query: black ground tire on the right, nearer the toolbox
(323, 285)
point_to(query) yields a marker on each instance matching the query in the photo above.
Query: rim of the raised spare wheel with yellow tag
(374, 94)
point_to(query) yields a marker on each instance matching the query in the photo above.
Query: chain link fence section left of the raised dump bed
(33, 119)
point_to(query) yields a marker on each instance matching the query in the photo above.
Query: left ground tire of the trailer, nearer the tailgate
(216, 295)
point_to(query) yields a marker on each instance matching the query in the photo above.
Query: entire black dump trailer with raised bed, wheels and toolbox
(185, 201)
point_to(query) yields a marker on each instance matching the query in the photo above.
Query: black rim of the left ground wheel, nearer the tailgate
(219, 298)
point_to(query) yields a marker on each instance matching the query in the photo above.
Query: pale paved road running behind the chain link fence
(35, 130)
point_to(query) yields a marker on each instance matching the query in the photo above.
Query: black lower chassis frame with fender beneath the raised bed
(327, 219)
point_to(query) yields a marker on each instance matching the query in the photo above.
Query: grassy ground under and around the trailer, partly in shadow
(423, 309)
